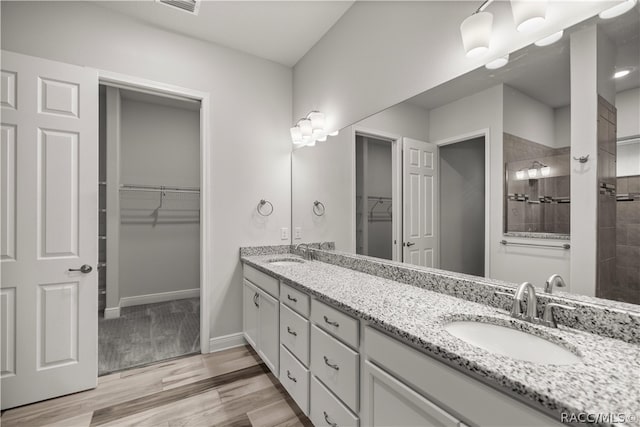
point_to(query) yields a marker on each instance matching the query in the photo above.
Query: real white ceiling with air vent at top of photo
(281, 31)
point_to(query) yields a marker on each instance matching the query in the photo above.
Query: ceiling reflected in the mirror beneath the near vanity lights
(543, 73)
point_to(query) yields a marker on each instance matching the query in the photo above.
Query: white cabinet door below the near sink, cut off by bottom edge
(390, 402)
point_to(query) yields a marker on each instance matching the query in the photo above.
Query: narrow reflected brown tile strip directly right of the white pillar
(606, 247)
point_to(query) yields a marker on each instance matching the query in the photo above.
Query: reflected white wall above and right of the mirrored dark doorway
(484, 110)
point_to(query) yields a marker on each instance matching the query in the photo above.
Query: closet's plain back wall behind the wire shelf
(160, 145)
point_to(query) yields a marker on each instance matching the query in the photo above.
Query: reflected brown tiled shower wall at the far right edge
(628, 241)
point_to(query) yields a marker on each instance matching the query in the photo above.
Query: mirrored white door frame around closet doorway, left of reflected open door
(396, 160)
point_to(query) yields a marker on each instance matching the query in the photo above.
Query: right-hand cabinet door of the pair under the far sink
(268, 331)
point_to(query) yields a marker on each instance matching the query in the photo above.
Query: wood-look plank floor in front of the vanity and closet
(230, 388)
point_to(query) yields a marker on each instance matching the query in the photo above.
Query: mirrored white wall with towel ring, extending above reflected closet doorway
(326, 172)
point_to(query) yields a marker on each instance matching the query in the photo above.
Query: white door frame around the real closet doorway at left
(206, 172)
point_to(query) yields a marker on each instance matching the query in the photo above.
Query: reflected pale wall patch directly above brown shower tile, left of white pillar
(528, 118)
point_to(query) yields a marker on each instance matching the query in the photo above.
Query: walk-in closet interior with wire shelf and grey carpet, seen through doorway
(149, 228)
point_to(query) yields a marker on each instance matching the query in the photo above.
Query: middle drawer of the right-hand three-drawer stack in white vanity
(336, 365)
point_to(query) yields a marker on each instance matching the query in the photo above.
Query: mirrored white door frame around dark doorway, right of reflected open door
(486, 133)
